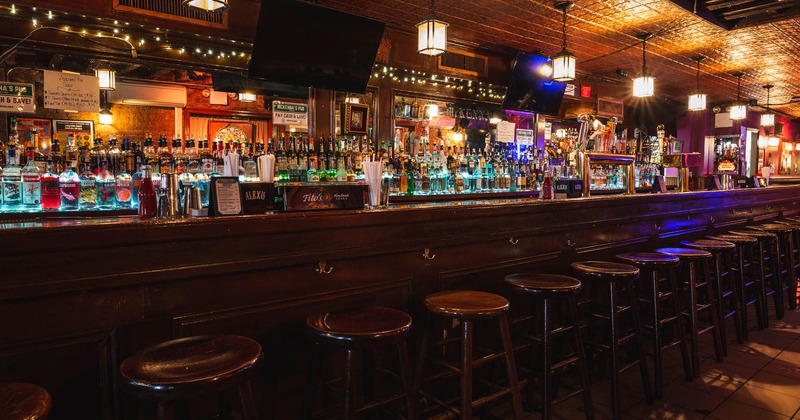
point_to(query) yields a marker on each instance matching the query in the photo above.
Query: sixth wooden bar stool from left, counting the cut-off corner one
(616, 276)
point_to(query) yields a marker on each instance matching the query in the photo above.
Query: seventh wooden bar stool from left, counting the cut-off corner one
(656, 266)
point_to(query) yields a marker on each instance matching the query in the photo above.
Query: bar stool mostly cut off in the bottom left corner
(21, 401)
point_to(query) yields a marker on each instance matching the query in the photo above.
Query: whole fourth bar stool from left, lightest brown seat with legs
(467, 306)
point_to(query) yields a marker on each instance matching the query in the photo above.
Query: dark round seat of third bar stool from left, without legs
(373, 325)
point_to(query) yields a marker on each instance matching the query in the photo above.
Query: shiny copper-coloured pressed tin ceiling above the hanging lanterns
(602, 34)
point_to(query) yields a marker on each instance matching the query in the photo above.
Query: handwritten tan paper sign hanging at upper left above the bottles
(71, 91)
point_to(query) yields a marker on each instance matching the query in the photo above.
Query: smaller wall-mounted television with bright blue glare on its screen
(531, 91)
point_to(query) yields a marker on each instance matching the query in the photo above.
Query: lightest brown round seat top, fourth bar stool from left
(467, 304)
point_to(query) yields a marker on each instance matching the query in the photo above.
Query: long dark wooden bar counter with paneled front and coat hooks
(78, 296)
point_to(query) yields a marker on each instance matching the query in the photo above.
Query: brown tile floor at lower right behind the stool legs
(759, 380)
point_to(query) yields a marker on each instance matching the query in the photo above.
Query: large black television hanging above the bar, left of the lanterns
(304, 44)
